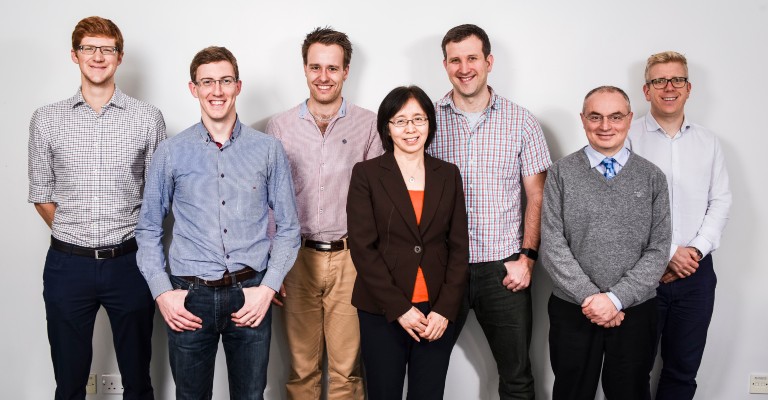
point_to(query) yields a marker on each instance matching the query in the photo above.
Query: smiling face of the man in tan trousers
(325, 72)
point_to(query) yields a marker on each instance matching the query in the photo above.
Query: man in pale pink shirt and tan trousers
(324, 136)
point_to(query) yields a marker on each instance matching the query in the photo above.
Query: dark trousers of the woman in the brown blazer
(388, 350)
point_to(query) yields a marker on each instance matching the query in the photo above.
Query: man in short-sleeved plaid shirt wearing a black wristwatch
(497, 145)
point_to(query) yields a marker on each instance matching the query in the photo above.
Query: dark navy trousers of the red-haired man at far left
(74, 288)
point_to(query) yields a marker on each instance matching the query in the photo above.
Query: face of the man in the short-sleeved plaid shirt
(467, 67)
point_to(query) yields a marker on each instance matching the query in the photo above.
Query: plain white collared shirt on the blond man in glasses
(697, 178)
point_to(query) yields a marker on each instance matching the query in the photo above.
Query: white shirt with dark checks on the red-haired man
(93, 165)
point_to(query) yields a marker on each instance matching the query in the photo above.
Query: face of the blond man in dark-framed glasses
(668, 102)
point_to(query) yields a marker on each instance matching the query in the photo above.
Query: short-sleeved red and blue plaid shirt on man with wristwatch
(506, 144)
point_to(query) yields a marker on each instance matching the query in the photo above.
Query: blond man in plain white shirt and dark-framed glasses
(692, 160)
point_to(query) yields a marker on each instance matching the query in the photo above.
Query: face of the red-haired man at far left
(97, 69)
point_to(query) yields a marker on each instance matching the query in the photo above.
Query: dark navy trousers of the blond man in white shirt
(685, 310)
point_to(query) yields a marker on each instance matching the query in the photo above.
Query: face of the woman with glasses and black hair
(409, 138)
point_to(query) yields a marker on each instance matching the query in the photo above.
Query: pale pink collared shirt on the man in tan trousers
(321, 164)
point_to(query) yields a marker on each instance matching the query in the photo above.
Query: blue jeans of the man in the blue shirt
(193, 353)
